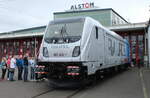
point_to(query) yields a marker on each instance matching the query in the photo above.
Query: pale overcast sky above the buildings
(21, 14)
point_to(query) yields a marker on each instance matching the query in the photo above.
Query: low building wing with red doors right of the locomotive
(136, 35)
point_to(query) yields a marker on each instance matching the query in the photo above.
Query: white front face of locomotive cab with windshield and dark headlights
(61, 42)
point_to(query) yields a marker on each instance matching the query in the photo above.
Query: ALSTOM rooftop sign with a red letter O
(82, 6)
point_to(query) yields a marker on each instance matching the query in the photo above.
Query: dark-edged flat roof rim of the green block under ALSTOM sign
(90, 10)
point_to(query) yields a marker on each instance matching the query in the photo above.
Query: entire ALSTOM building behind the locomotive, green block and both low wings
(24, 41)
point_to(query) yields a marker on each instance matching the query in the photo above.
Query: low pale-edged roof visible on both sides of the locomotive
(23, 34)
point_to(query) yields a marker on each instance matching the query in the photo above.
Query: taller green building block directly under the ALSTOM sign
(107, 17)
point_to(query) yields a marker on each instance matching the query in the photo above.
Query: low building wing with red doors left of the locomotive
(20, 42)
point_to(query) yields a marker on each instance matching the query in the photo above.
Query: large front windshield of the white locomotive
(64, 32)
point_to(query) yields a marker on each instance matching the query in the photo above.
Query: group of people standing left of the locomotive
(10, 64)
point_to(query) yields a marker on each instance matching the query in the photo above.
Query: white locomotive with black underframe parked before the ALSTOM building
(73, 49)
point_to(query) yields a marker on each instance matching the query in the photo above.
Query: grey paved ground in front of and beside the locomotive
(133, 83)
